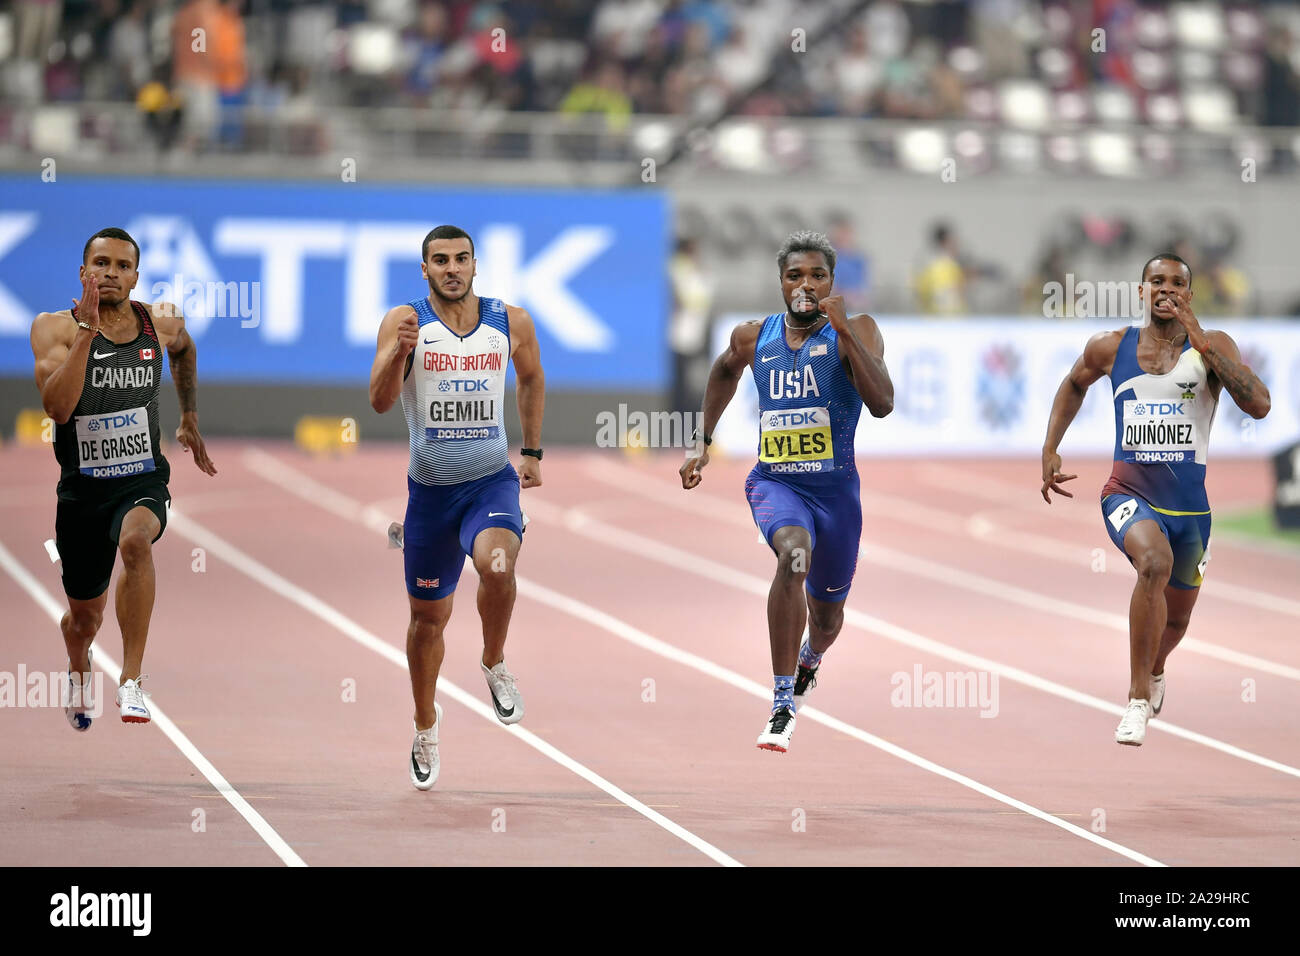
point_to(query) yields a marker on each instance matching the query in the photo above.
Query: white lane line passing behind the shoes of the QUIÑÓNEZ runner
(686, 561)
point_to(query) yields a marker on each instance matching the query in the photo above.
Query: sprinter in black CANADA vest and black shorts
(99, 367)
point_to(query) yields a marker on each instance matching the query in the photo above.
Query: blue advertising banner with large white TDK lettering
(288, 283)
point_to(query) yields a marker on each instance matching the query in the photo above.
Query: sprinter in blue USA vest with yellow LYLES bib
(814, 369)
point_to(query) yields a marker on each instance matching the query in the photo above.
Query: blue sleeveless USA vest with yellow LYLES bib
(808, 408)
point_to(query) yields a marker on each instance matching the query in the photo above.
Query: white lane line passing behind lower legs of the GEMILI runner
(252, 568)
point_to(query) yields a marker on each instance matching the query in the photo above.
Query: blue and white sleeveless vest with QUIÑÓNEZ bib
(1163, 430)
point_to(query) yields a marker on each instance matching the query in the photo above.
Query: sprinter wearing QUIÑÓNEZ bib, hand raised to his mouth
(1165, 383)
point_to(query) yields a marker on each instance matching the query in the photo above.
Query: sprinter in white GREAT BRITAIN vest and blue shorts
(445, 357)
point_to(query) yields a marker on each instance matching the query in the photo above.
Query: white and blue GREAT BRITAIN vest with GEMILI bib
(454, 396)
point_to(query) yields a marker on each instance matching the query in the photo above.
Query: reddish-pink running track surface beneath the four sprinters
(963, 553)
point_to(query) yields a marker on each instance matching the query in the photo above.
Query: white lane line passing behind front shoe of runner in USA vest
(287, 478)
